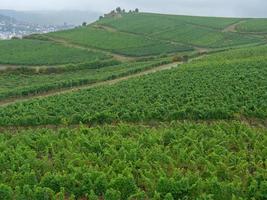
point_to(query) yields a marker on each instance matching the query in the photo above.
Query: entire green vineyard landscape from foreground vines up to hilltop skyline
(135, 107)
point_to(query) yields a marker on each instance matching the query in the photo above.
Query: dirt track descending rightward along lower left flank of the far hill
(91, 49)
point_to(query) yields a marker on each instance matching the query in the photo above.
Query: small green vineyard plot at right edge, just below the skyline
(254, 25)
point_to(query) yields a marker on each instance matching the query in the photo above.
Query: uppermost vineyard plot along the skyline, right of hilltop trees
(147, 23)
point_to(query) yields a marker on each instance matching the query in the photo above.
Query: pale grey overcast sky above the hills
(236, 8)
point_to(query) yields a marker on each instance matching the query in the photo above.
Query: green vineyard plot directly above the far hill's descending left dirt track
(118, 42)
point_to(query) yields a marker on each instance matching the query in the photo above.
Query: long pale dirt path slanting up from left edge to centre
(102, 83)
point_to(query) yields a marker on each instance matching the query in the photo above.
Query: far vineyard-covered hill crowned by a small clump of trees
(146, 34)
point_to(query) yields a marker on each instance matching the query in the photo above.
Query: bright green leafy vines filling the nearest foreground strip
(178, 161)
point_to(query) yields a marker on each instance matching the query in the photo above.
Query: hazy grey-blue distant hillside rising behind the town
(52, 17)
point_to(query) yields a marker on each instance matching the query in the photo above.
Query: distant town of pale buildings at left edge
(12, 28)
